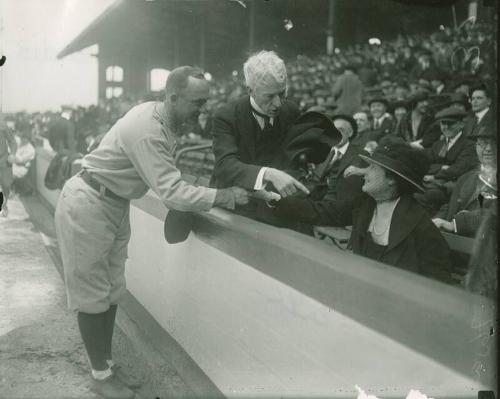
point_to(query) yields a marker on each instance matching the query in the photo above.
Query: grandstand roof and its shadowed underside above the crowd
(128, 25)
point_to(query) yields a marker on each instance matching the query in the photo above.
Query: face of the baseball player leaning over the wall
(191, 101)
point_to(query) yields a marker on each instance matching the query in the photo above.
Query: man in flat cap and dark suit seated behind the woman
(450, 158)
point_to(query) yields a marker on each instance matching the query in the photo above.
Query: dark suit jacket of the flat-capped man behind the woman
(461, 158)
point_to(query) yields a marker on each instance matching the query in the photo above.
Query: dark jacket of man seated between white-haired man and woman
(339, 187)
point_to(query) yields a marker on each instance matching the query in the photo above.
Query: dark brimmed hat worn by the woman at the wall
(397, 156)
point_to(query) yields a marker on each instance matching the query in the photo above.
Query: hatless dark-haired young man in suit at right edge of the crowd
(482, 115)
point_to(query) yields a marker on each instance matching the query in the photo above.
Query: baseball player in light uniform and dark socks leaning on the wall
(92, 213)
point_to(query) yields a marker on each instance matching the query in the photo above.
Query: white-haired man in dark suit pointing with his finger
(249, 133)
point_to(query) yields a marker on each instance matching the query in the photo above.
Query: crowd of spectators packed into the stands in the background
(396, 87)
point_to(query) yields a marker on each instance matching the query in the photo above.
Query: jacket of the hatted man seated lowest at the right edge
(464, 204)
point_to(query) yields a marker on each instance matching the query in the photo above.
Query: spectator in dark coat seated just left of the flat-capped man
(415, 125)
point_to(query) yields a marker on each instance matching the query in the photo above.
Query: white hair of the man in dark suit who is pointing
(264, 68)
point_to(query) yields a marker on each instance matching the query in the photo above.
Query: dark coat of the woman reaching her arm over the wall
(415, 243)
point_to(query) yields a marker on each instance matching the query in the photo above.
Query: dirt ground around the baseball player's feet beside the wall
(41, 353)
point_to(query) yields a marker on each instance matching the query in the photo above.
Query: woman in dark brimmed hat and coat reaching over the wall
(388, 225)
